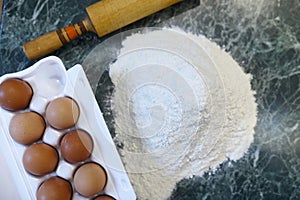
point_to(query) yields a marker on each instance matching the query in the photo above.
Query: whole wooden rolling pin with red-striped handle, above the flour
(102, 18)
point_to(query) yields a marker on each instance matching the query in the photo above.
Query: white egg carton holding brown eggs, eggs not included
(49, 80)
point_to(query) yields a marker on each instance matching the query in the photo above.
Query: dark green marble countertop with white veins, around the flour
(263, 36)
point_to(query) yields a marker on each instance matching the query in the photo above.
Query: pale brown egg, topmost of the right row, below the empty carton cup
(62, 113)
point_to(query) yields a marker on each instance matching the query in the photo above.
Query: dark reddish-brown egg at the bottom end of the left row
(55, 188)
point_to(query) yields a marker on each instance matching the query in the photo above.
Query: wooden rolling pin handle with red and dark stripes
(45, 44)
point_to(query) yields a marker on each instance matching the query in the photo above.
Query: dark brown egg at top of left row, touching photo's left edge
(15, 94)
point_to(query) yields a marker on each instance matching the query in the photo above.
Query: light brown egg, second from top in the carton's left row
(27, 127)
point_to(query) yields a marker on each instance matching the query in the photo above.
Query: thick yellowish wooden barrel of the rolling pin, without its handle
(107, 16)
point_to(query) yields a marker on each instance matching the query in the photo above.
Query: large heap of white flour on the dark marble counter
(182, 105)
